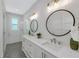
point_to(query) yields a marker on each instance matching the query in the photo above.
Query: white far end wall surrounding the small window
(13, 39)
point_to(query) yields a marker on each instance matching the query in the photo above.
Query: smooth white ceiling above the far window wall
(18, 6)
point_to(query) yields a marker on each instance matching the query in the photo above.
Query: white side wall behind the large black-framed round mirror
(40, 8)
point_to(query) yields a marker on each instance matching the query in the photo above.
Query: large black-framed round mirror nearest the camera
(59, 23)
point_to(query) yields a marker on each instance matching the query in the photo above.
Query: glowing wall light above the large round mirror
(55, 4)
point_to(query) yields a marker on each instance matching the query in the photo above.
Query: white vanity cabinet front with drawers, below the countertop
(33, 50)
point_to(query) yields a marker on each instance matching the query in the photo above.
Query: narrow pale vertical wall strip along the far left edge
(1, 29)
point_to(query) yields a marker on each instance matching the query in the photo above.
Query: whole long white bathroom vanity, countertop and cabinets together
(43, 48)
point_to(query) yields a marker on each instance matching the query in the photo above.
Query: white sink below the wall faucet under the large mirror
(52, 45)
